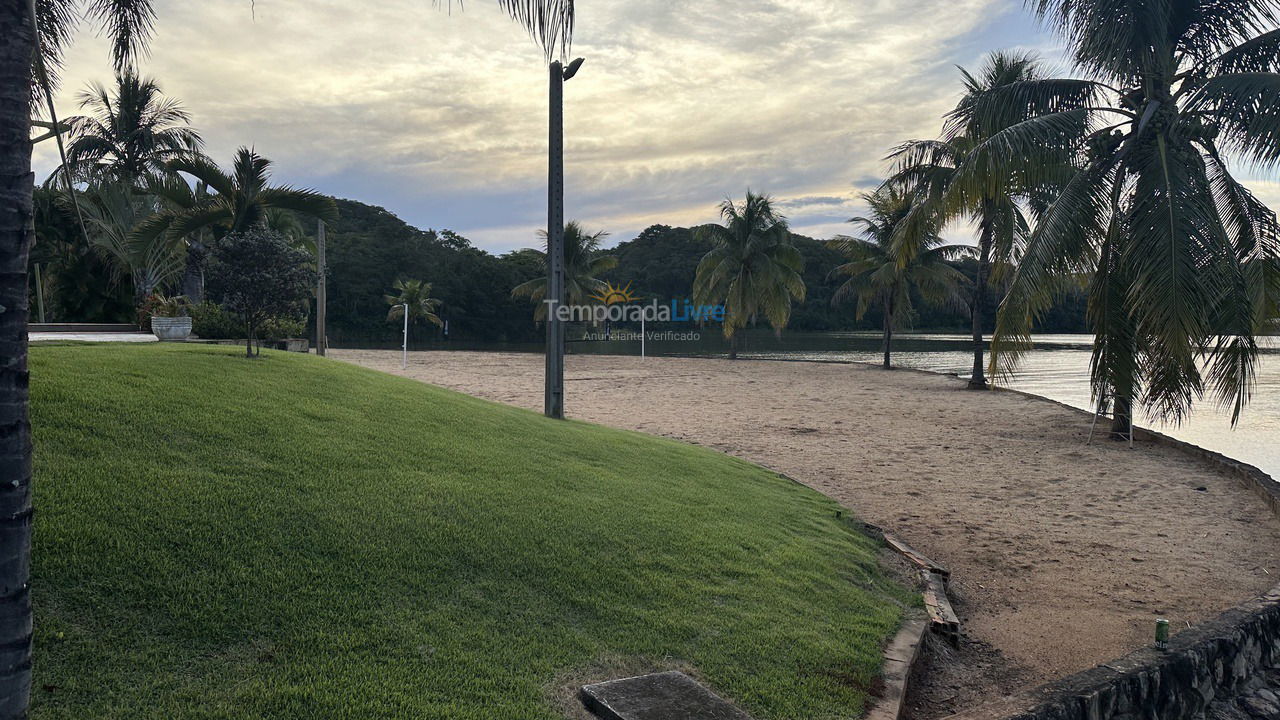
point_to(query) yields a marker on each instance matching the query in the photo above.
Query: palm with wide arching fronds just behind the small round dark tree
(240, 200)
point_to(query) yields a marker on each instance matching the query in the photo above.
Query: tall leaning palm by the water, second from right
(985, 197)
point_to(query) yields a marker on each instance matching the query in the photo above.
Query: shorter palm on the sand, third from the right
(880, 277)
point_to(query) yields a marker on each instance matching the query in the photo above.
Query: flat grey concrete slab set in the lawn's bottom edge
(661, 696)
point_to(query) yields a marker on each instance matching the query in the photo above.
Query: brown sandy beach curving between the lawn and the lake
(1063, 554)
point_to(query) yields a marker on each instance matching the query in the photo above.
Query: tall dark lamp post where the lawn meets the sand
(554, 400)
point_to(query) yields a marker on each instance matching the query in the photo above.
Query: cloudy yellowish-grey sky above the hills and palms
(441, 117)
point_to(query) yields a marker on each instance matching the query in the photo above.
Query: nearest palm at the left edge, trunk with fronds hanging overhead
(28, 60)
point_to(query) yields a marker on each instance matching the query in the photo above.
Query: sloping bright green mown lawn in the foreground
(292, 537)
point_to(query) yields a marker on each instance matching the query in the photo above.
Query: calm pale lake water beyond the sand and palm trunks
(1059, 370)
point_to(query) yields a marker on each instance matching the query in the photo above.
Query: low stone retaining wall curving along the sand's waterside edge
(1201, 666)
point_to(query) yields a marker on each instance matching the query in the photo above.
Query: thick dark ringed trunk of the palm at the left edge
(17, 184)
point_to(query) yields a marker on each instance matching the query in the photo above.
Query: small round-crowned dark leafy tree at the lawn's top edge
(258, 276)
